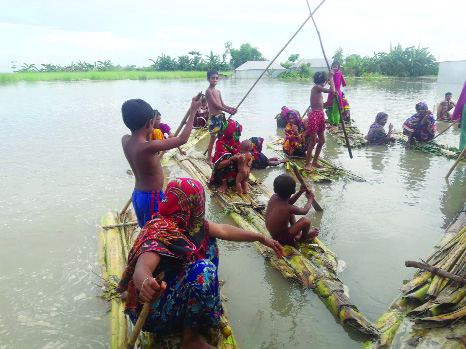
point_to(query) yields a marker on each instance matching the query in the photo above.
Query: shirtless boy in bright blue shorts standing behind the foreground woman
(142, 156)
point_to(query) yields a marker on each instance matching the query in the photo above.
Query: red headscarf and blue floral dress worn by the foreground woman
(180, 236)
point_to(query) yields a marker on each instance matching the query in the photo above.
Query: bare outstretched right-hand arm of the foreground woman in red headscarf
(231, 233)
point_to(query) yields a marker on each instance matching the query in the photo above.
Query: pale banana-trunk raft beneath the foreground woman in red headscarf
(115, 240)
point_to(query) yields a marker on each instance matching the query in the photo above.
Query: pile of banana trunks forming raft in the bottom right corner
(430, 311)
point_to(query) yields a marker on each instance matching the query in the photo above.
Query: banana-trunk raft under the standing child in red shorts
(326, 174)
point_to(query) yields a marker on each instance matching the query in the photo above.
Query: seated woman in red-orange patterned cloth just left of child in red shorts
(295, 136)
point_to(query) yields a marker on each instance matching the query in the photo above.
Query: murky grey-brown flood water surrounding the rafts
(62, 168)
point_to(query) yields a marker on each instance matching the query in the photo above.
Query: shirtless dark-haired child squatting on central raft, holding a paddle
(280, 217)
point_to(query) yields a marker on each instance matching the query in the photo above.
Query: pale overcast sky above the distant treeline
(132, 32)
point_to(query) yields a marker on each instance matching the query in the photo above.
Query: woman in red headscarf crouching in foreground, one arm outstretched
(182, 244)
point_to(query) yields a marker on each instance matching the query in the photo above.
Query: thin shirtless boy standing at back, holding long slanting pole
(216, 109)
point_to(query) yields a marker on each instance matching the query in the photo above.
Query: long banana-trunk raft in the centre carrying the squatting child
(314, 267)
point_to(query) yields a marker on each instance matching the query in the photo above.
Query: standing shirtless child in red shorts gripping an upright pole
(316, 119)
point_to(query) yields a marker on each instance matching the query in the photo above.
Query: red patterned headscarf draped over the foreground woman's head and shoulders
(177, 232)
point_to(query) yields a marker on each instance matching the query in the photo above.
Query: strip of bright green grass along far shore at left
(104, 75)
